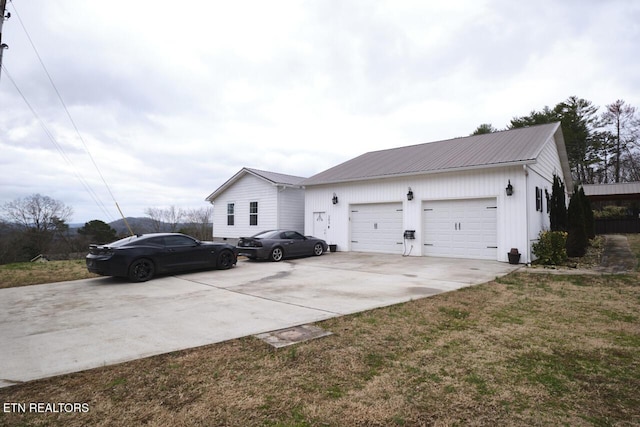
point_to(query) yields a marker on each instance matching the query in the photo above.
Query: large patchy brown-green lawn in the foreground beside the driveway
(526, 349)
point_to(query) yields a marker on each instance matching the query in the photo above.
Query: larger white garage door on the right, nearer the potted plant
(460, 228)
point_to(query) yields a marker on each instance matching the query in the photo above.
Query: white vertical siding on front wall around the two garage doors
(484, 183)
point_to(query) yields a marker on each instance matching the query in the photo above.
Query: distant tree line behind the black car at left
(38, 224)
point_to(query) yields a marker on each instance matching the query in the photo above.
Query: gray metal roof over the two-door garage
(516, 146)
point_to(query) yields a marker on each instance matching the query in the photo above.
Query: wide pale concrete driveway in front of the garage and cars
(58, 328)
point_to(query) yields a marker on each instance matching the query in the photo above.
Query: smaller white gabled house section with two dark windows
(253, 200)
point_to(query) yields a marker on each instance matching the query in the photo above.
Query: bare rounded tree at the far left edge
(40, 219)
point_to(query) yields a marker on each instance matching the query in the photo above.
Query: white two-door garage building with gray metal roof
(474, 197)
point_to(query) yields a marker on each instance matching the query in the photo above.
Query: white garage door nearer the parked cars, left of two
(377, 228)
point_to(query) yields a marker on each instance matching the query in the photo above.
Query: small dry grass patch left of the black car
(33, 273)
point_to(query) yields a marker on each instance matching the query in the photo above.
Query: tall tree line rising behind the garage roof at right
(603, 145)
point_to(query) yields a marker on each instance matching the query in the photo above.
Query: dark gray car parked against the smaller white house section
(278, 244)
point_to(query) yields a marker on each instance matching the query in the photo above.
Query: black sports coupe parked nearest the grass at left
(142, 256)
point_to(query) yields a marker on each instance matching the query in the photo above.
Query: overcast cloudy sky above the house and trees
(170, 99)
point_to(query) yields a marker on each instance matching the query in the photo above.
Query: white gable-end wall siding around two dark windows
(248, 189)
